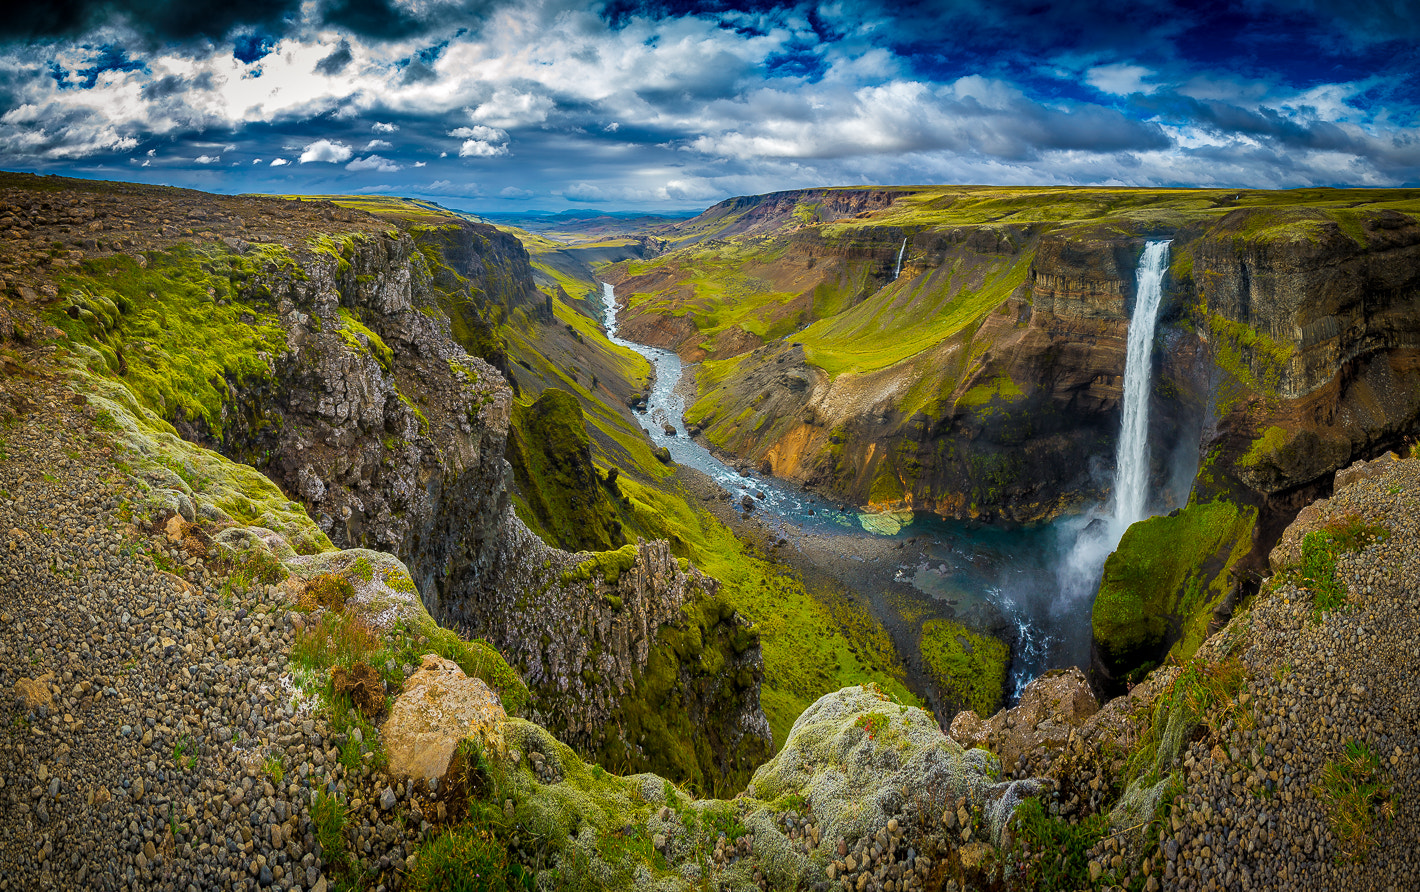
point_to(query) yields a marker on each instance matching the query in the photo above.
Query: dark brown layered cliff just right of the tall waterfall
(1317, 333)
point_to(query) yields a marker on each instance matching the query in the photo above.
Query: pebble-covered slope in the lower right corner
(1255, 815)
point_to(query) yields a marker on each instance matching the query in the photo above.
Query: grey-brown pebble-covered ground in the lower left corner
(151, 736)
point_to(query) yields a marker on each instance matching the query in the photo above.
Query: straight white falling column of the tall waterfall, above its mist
(1132, 457)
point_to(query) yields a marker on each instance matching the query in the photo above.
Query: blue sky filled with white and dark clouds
(503, 106)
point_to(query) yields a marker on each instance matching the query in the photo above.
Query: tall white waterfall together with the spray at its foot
(1100, 532)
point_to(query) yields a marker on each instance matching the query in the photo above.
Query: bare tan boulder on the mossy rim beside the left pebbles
(441, 708)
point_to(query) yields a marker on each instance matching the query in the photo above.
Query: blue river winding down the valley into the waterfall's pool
(1003, 582)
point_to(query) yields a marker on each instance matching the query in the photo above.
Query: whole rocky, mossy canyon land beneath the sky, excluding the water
(401, 430)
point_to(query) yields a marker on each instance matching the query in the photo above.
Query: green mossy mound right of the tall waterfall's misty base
(1161, 586)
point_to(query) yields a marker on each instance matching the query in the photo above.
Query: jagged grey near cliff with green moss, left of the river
(364, 407)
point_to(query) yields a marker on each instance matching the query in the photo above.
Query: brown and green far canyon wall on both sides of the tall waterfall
(1287, 340)
